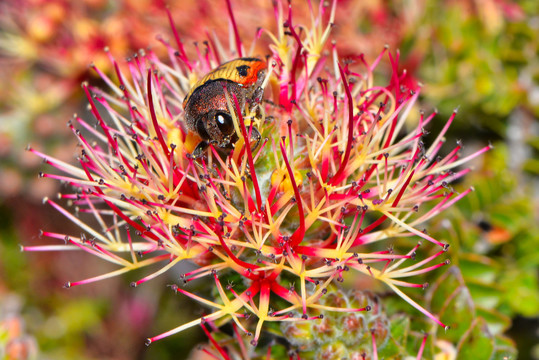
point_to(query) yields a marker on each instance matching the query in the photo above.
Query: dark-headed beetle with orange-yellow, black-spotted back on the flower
(206, 109)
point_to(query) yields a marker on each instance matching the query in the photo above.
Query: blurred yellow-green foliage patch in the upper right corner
(482, 59)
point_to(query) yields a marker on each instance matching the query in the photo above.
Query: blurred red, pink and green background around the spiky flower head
(481, 56)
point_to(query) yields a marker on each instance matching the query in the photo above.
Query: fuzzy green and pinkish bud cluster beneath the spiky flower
(338, 336)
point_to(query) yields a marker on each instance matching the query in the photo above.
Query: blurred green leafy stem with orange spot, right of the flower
(492, 233)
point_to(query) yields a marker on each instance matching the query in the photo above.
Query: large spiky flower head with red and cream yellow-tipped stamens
(336, 176)
